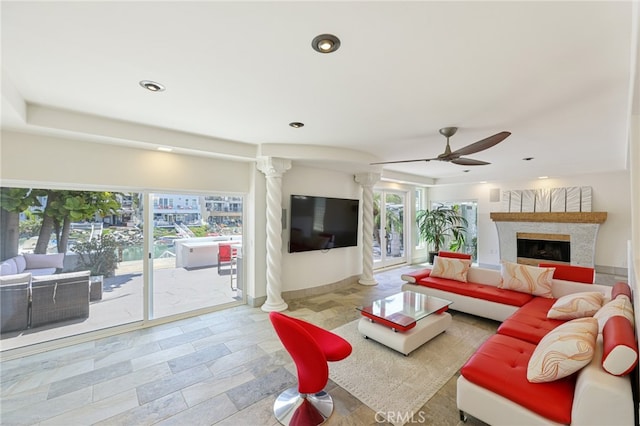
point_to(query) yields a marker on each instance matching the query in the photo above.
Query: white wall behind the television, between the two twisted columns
(315, 268)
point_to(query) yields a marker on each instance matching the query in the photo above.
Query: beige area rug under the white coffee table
(394, 385)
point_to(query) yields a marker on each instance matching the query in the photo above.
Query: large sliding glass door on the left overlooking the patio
(149, 255)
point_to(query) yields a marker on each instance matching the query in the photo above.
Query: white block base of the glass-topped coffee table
(408, 341)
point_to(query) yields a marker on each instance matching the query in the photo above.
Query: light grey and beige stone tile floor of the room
(224, 368)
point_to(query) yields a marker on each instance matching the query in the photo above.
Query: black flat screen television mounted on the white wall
(322, 223)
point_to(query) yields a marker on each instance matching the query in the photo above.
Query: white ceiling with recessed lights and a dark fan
(558, 75)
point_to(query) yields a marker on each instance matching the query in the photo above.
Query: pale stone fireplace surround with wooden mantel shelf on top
(582, 228)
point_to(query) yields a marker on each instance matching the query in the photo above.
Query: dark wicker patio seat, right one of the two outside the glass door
(59, 297)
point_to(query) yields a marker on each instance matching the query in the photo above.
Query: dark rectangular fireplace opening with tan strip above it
(533, 248)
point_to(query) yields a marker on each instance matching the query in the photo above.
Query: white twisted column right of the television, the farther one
(367, 180)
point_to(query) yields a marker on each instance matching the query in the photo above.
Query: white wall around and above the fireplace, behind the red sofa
(611, 194)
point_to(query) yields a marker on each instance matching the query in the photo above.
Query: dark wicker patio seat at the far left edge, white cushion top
(14, 302)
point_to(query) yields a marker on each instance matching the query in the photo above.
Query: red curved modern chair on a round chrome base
(310, 347)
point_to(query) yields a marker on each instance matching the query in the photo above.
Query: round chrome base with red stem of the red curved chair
(293, 408)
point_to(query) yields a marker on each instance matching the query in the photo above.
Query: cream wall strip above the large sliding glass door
(67, 162)
